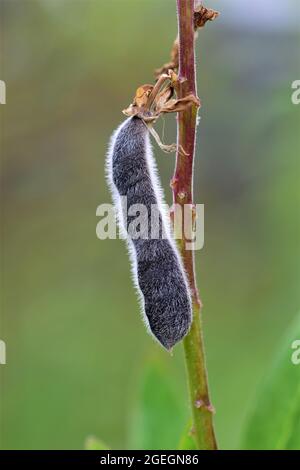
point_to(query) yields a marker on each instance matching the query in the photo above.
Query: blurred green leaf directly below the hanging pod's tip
(159, 413)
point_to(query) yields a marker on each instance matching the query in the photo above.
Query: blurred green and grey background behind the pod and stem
(77, 352)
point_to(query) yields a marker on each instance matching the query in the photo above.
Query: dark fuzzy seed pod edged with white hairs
(157, 268)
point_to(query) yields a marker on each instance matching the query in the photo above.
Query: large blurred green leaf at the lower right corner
(275, 419)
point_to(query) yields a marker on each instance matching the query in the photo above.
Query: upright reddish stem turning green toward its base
(202, 409)
